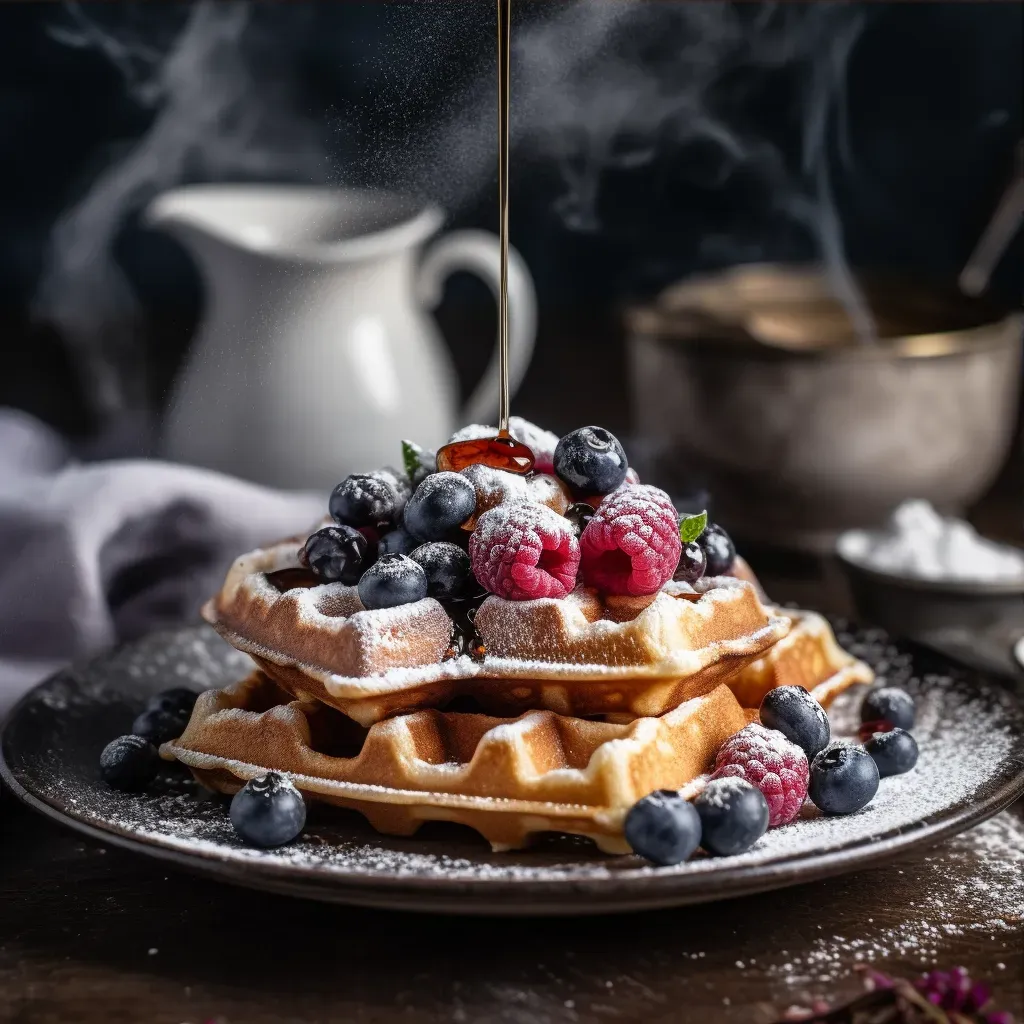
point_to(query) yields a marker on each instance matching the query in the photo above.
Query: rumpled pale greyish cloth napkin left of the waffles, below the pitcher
(93, 554)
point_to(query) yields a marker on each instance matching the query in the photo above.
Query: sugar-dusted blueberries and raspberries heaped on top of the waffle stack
(580, 517)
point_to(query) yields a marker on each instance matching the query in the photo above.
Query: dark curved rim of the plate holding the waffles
(531, 897)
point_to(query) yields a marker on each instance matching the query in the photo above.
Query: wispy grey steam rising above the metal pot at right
(604, 87)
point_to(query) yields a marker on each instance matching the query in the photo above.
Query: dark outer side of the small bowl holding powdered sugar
(976, 623)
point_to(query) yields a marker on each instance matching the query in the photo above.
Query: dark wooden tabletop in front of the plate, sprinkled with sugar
(94, 934)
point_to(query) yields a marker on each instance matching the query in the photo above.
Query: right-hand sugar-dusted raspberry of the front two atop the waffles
(631, 546)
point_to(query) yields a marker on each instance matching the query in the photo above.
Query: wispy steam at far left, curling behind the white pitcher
(215, 118)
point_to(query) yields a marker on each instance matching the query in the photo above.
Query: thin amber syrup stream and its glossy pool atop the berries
(503, 452)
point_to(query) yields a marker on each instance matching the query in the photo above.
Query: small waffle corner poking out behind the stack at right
(808, 657)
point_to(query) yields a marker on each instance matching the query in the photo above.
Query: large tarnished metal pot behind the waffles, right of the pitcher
(756, 385)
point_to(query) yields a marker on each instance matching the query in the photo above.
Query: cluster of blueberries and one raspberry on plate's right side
(763, 776)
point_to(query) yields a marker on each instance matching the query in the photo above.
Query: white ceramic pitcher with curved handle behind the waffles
(316, 355)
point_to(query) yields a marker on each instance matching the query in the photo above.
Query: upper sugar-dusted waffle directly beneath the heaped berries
(628, 657)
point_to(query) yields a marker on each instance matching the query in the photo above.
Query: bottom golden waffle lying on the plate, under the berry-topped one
(508, 779)
